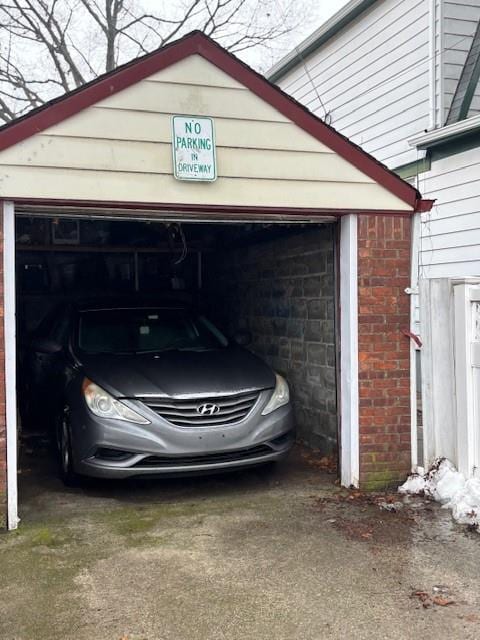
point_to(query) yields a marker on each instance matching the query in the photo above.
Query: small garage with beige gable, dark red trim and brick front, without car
(274, 225)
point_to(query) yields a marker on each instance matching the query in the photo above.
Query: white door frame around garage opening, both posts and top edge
(347, 334)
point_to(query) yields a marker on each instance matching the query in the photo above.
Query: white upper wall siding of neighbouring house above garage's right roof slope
(373, 79)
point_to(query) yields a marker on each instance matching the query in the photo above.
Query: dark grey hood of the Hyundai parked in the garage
(179, 373)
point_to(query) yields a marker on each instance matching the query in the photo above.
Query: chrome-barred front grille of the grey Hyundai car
(185, 413)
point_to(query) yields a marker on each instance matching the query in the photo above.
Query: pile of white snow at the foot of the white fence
(448, 486)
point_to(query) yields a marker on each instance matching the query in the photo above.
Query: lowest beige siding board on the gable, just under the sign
(155, 188)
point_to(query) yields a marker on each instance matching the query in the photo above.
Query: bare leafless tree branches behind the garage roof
(52, 46)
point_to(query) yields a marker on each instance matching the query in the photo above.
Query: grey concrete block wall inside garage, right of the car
(283, 291)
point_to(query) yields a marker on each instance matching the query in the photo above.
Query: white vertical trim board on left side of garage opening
(10, 361)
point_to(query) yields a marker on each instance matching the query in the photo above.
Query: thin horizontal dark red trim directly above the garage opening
(202, 209)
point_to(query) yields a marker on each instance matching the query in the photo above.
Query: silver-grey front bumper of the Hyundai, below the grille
(161, 448)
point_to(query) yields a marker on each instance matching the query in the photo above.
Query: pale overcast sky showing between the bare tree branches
(87, 41)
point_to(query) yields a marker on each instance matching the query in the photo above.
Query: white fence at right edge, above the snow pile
(450, 329)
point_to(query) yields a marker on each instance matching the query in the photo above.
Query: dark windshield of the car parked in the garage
(121, 331)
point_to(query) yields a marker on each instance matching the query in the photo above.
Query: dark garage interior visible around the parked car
(271, 286)
